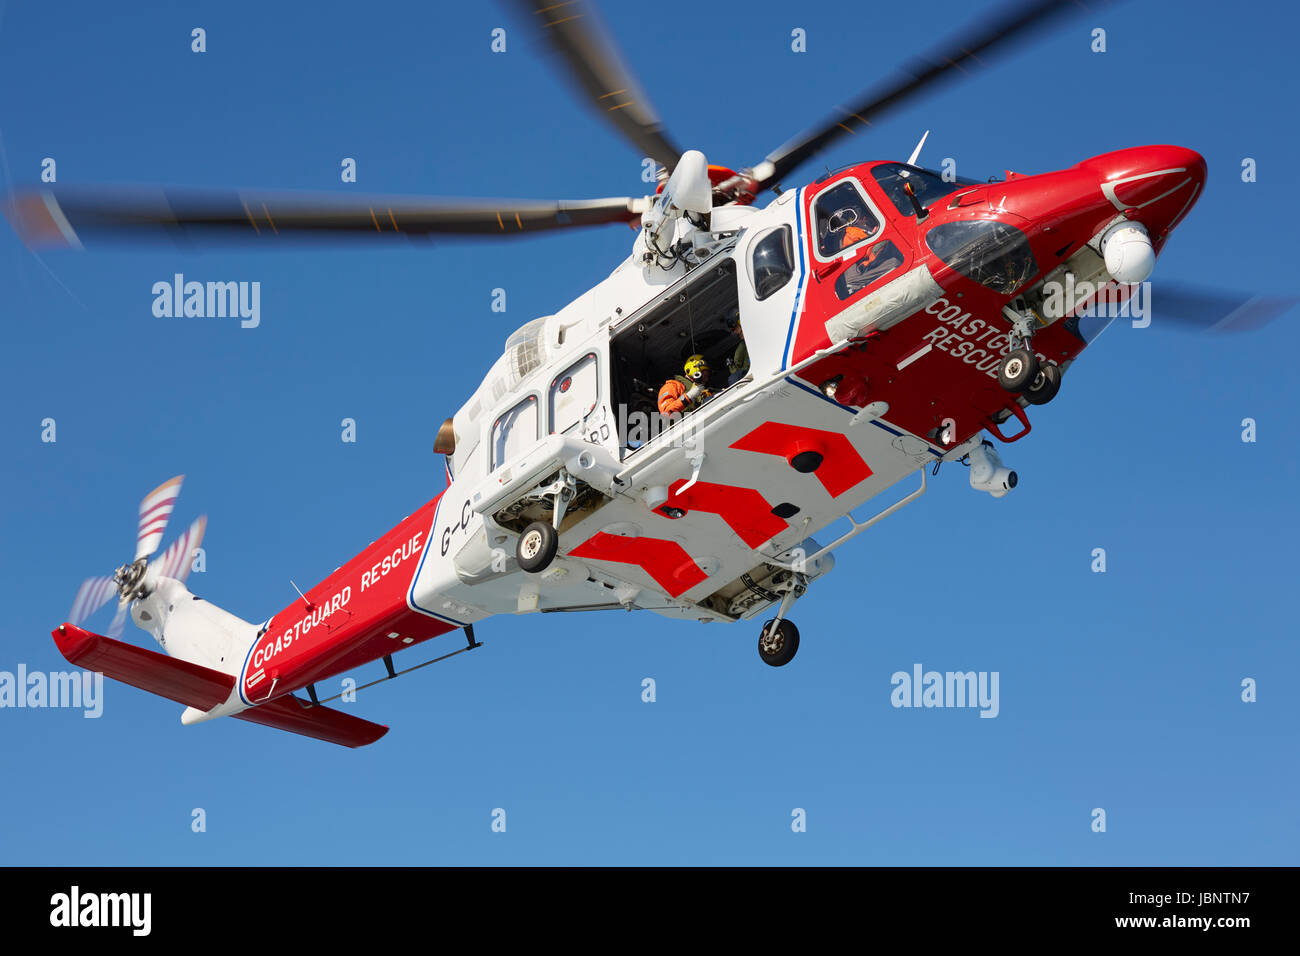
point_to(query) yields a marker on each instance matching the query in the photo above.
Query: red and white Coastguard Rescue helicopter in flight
(892, 319)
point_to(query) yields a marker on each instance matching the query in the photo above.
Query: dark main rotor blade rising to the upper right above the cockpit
(963, 53)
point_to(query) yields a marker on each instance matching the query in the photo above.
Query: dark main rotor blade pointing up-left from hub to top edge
(574, 31)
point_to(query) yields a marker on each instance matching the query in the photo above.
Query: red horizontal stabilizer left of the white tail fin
(167, 677)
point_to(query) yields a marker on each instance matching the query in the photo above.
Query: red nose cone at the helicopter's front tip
(1155, 185)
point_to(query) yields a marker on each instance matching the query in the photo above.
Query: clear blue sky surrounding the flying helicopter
(1119, 690)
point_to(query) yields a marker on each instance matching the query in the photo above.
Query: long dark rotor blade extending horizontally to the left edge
(62, 219)
